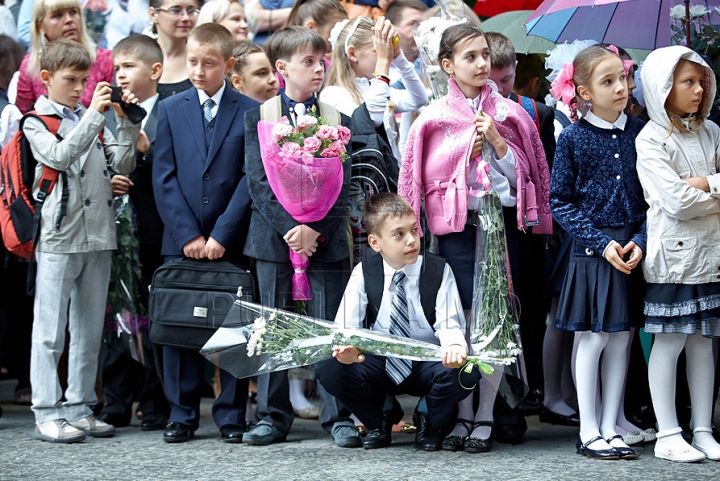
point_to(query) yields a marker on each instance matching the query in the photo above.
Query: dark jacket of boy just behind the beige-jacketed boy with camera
(150, 225)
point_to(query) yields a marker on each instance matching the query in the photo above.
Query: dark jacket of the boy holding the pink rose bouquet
(269, 221)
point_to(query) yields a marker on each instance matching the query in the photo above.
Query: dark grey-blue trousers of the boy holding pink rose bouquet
(275, 282)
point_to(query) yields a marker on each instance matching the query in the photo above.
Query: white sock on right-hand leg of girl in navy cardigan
(613, 382)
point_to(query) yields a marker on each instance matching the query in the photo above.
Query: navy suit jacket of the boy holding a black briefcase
(199, 189)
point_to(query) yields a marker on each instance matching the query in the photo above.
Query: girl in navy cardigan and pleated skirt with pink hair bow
(595, 195)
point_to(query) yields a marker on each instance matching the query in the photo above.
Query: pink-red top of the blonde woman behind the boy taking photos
(31, 88)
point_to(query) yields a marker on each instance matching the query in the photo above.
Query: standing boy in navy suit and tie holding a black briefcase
(201, 195)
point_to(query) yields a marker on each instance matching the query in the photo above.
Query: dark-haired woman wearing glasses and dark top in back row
(172, 22)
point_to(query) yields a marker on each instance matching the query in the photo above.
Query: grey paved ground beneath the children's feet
(309, 454)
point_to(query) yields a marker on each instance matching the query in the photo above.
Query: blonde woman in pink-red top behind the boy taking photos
(51, 20)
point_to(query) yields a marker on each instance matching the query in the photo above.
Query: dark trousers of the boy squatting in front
(363, 388)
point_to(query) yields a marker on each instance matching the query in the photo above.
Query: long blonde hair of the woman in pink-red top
(37, 37)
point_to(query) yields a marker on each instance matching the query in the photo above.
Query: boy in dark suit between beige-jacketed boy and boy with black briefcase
(138, 67)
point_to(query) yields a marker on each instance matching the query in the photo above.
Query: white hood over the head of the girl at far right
(657, 80)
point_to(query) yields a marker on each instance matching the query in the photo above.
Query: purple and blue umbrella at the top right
(643, 24)
